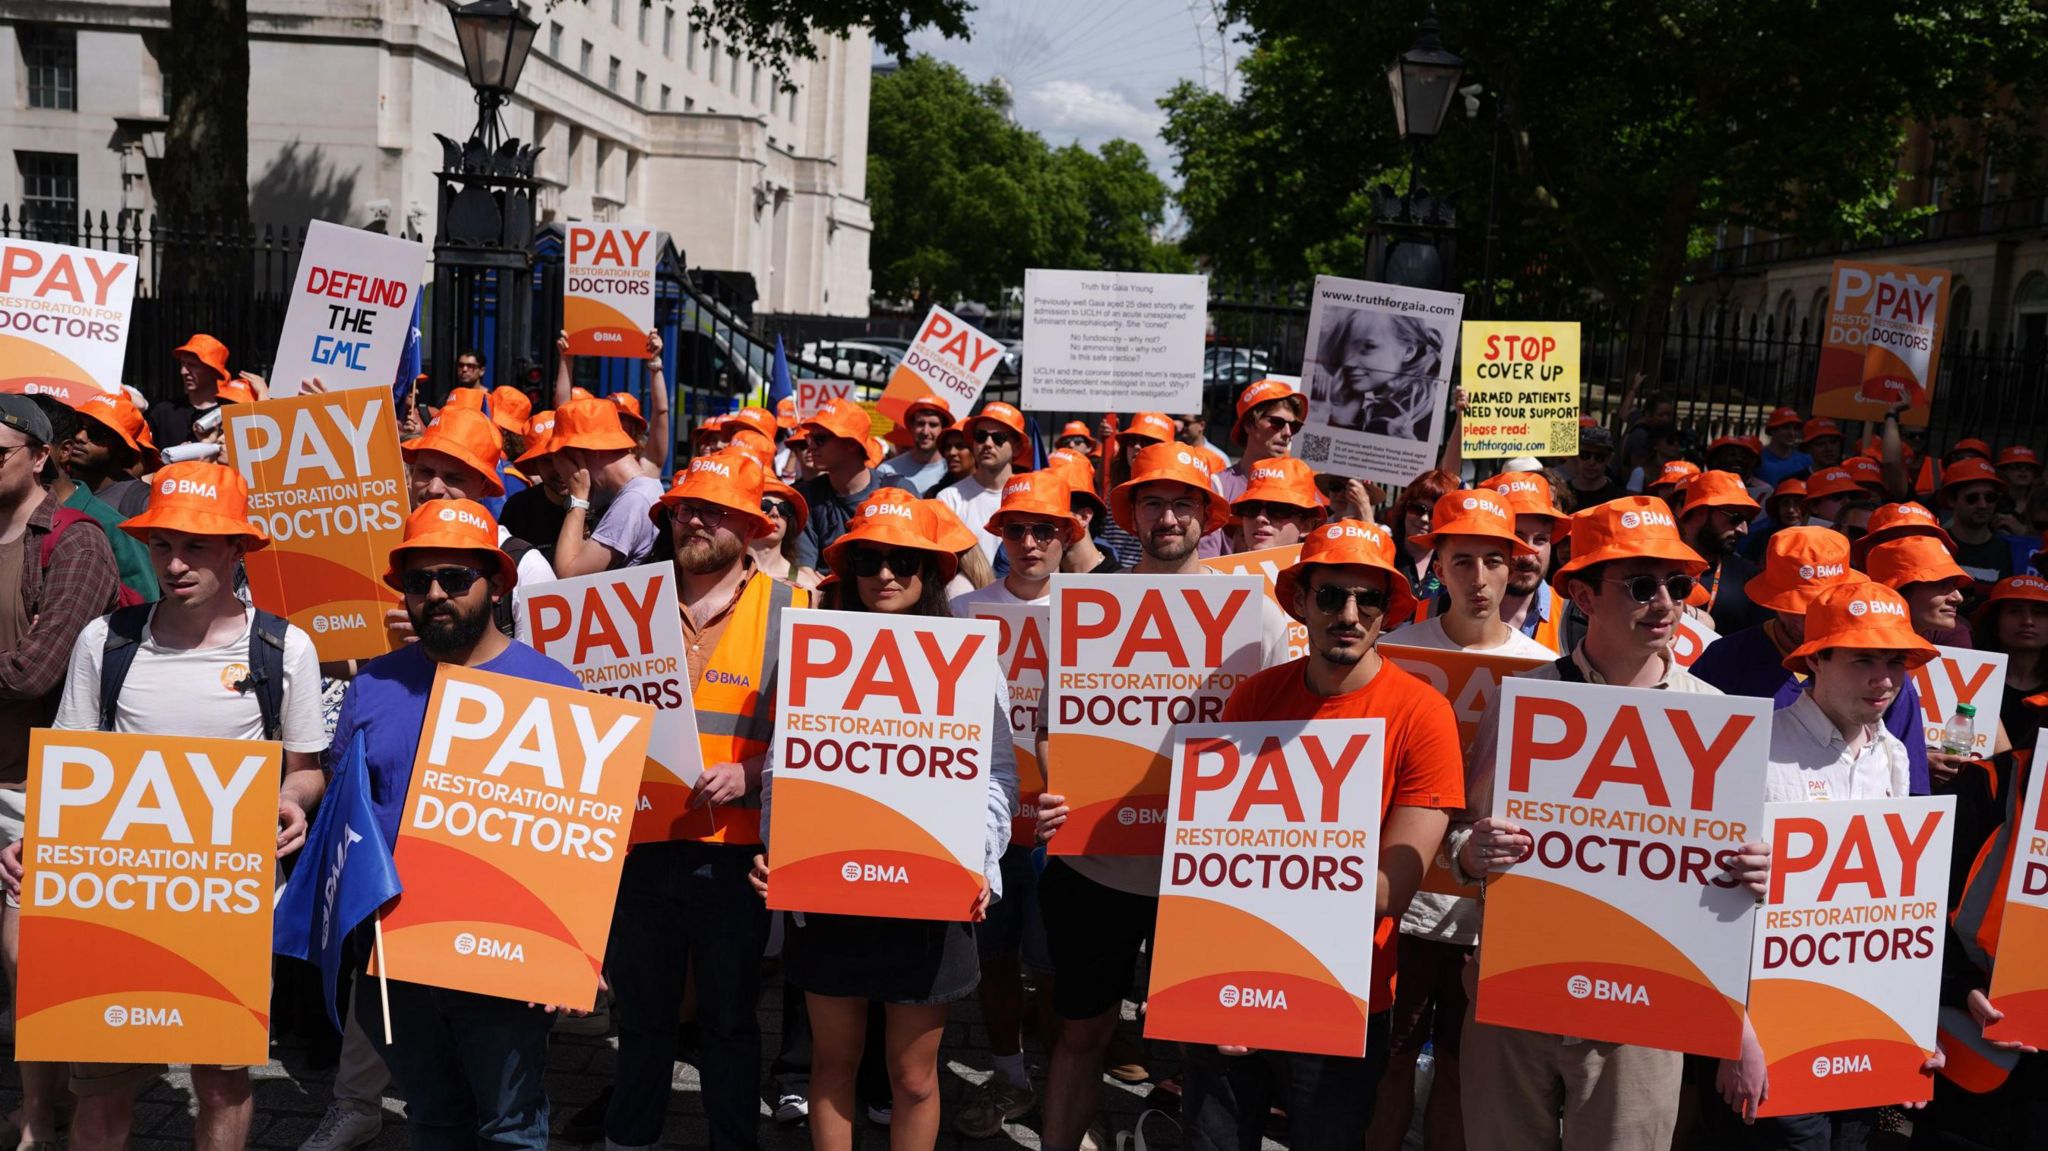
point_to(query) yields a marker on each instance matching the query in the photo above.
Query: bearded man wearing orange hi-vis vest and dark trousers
(689, 896)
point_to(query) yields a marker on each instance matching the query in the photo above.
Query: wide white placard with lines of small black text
(1113, 341)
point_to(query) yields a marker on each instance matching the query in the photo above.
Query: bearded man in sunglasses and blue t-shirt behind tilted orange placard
(470, 1066)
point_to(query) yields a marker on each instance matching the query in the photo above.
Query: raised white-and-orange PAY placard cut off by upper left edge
(65, 318)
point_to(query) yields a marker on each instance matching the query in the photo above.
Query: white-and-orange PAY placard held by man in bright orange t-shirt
(1269, 886)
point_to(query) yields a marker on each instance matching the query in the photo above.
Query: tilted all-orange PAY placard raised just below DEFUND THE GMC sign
(329, 484)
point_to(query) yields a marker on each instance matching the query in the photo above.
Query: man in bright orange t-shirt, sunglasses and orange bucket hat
(1342, 589)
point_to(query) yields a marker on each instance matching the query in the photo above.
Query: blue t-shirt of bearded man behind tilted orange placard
(388, 706)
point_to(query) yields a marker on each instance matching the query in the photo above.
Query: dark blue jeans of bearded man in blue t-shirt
(470, 1066)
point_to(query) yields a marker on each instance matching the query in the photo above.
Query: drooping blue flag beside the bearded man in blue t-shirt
(345, 876)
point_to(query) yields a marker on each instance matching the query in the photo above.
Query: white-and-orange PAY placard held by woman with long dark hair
(882, 765)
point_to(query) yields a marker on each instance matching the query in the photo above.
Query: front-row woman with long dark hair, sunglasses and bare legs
(894, 562)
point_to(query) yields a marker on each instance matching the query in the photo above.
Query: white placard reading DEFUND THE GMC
(351, 310)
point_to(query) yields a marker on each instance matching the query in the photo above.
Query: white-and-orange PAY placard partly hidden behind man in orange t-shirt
(1132, 658)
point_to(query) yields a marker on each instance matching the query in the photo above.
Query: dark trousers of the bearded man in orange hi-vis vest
(687, 906)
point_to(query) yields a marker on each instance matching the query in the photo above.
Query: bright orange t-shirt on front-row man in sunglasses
(1424, 761)
